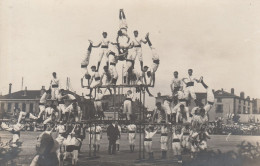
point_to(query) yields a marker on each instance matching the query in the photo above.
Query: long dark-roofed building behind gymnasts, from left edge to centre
(28, 100)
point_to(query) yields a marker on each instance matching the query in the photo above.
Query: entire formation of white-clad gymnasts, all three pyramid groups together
(181, 128)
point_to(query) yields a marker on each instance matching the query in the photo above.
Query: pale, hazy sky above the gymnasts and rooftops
(218, 39)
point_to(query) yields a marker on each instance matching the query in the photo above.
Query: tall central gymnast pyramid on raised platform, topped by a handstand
(123, 49)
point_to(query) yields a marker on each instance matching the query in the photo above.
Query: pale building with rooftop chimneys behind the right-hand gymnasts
(228, 103)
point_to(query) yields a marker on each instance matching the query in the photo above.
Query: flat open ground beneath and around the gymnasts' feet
(124, 156)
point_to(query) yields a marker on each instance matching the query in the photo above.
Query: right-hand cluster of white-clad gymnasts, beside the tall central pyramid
(185, 129)
